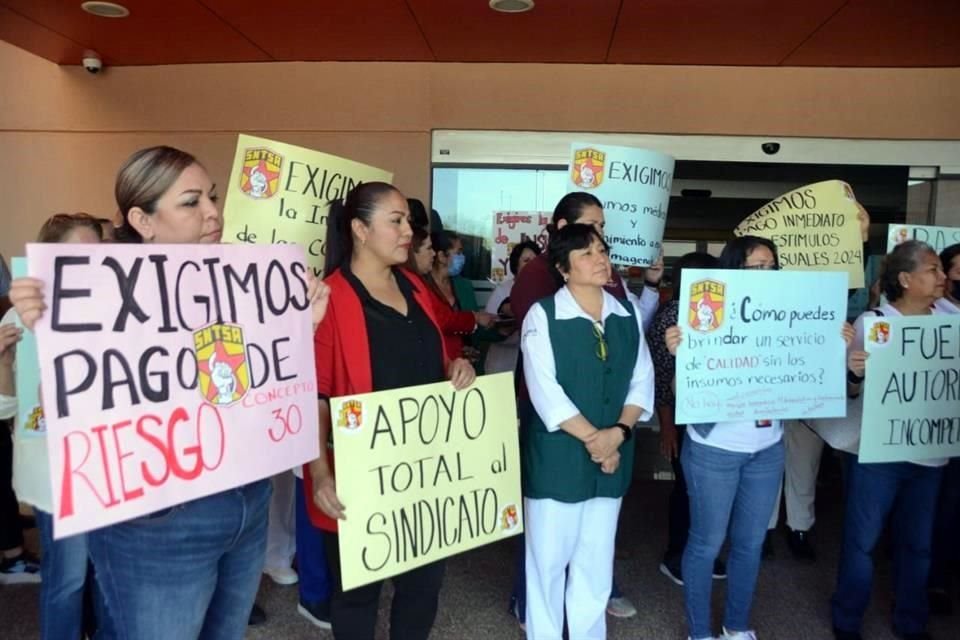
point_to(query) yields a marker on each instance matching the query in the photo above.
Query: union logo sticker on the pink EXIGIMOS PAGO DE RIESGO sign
(224, 375)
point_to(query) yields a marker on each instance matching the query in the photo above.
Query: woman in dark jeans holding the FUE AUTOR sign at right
(904, 492)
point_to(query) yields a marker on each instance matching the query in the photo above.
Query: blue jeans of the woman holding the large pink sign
(190, 571)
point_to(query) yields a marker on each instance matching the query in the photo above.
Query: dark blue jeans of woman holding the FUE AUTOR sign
(908, 494)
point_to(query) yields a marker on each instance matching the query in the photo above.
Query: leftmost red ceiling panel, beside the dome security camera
(168, 32)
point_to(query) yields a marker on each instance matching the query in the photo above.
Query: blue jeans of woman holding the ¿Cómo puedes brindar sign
(728, 491)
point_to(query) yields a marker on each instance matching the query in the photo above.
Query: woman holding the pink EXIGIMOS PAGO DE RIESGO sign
(191, 570)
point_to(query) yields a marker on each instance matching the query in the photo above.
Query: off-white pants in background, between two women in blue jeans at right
(803, 451)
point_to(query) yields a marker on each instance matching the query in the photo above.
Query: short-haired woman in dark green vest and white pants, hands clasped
(590, 378)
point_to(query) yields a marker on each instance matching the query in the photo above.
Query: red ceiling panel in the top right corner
(886, 33)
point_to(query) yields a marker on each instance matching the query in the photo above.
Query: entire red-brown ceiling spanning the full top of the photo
(862, 33)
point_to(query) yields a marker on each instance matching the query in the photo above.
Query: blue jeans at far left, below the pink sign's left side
(63, 566)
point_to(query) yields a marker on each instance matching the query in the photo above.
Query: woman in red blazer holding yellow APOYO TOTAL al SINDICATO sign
(379, 333)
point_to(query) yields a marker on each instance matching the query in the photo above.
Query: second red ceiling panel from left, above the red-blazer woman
(328, 29)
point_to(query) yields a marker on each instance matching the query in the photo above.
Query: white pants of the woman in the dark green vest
(569, 549)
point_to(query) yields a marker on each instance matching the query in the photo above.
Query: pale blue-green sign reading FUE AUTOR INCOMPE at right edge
(911, 401)
